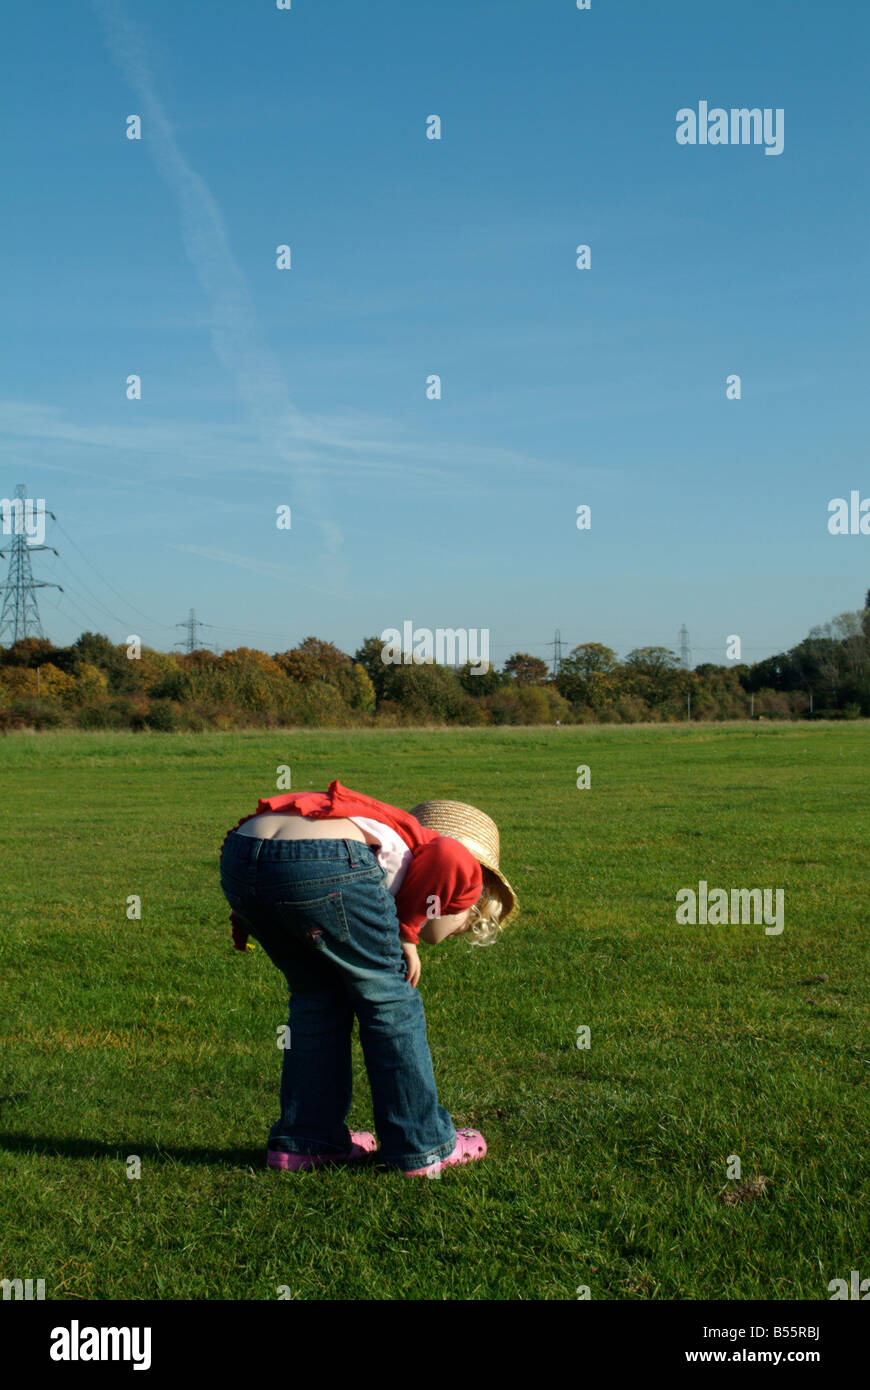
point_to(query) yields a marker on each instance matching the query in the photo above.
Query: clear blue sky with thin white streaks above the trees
(454, 258)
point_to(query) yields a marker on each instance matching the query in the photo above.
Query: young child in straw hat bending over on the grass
(338, 889)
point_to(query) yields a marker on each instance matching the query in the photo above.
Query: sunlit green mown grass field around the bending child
(607, 1168)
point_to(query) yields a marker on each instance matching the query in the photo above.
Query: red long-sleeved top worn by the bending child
(440, 865)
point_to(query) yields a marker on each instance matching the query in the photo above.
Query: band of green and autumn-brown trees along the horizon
(95, 685)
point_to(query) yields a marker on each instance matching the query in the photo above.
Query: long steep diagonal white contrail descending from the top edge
(236, 333)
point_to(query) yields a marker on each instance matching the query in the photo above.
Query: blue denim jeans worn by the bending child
(323, 914)
